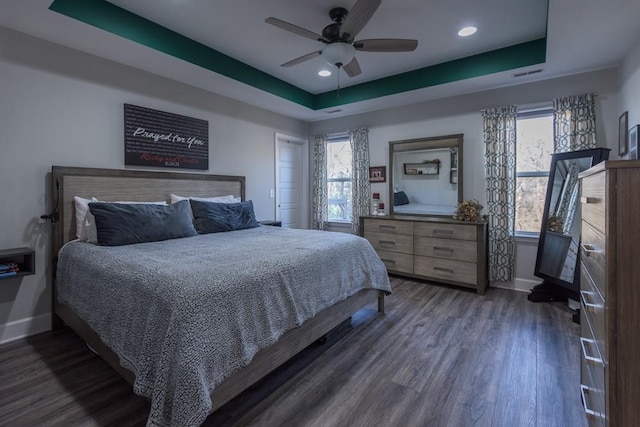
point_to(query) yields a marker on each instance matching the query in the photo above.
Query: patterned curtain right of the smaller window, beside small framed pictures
(360, 186)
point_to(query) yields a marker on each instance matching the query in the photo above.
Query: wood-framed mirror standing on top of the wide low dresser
(427, 193)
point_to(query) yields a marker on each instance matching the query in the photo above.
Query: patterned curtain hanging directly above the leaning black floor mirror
(574, 123)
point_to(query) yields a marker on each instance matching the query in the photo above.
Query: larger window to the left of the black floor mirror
(534, 147)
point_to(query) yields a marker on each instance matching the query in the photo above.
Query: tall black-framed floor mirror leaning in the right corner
(558, 247)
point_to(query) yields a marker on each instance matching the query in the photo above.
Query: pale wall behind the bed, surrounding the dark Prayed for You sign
(62, 107)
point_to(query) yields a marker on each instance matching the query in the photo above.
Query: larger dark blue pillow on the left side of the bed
(123, 224)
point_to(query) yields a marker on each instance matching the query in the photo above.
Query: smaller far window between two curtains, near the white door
(339, 179)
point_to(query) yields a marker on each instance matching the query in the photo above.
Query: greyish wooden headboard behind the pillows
(130, 185)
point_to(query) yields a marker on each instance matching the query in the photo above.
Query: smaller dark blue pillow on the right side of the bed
(211, 217)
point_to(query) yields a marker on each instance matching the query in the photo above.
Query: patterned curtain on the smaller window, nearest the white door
(320, 204)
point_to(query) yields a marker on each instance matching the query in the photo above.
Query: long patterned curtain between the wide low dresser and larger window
(500, 157)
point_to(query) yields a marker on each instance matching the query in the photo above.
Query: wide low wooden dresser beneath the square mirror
(431, 248)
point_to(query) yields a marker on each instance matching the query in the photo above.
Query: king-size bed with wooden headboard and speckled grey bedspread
(169, 324)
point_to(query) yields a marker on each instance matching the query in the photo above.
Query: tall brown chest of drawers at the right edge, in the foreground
(610, 293)
